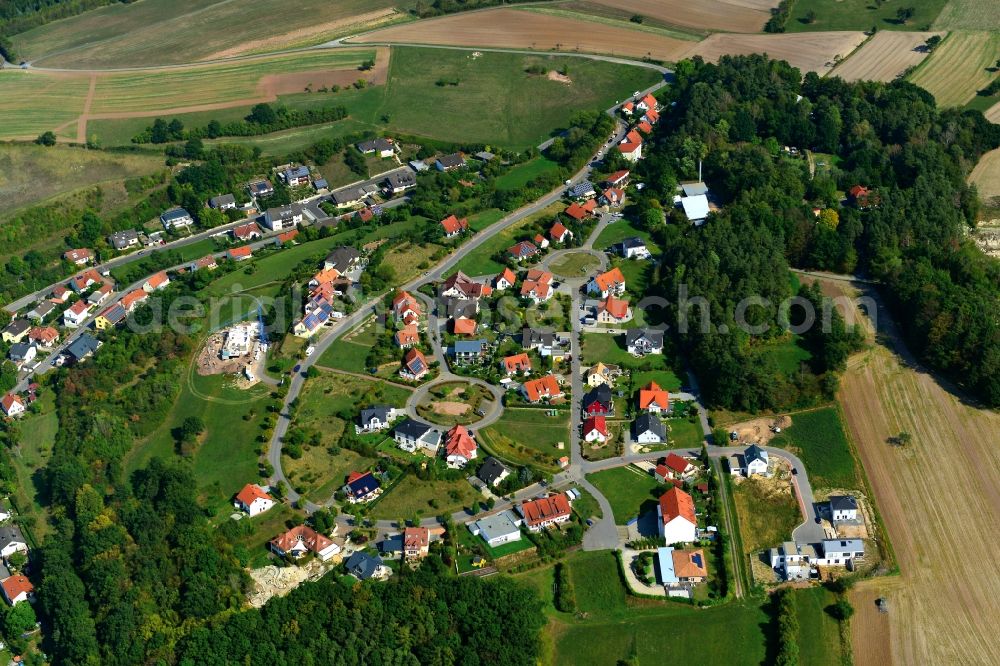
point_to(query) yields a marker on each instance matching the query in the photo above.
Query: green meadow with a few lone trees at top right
(861, 15)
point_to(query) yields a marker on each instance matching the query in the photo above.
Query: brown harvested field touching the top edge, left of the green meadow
(724, 15)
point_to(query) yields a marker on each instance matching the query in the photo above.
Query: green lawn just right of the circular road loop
(528, 436)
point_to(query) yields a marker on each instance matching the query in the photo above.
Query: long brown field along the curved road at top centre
(515, 29)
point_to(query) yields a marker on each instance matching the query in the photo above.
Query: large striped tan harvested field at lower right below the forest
(936, 495)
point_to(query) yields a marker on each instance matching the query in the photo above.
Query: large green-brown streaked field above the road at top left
(161, 32)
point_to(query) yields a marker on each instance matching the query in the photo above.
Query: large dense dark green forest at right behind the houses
(909, 234)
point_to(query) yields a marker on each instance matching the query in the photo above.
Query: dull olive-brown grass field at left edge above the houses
(30, 174)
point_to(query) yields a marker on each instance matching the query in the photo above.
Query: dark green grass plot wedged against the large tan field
(818, 438)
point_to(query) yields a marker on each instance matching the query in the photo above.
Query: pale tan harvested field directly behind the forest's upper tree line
(810, 52)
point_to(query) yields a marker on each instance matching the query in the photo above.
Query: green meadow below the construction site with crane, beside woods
(227, 458)
